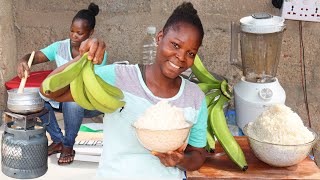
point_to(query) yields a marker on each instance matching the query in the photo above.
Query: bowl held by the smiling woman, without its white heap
(162, 140)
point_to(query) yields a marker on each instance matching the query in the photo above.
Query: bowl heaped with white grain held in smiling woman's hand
(162, 128)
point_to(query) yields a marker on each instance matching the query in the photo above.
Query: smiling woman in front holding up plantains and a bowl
(123, 156)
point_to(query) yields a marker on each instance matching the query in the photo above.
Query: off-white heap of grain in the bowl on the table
(280, 125)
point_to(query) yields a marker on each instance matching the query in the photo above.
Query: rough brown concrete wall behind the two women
(122, 24)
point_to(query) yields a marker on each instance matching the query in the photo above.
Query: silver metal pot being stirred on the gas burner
(27, 102)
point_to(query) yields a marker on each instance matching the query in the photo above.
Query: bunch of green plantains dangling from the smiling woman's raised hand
(88, 90)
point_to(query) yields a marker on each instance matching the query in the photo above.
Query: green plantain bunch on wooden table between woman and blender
(217, 94)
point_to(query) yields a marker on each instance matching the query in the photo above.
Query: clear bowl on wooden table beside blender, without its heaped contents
(279, 155)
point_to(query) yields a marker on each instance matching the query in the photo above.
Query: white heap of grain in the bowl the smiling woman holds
(162, 116)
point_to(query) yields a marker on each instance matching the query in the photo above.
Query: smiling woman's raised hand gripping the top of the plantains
(95, 48)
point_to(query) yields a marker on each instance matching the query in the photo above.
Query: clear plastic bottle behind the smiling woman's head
(149, 46)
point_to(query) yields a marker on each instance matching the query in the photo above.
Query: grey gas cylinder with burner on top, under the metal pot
(24, 145)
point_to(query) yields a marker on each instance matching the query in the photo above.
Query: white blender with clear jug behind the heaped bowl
(260, 42)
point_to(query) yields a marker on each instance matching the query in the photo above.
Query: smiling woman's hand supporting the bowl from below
(171, 158)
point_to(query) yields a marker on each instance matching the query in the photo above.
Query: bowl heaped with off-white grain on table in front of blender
(279, 138)
